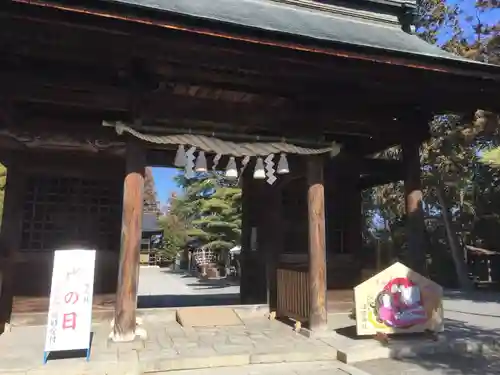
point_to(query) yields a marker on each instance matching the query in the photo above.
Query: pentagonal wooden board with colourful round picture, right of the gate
(398, 300)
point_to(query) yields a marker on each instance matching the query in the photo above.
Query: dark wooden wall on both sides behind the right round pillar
(280, 215)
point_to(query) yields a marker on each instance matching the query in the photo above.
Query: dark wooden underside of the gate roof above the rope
(82, 69)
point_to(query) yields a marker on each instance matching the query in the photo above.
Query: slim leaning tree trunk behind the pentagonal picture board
(456, 253)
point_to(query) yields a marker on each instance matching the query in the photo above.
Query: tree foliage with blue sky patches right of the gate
(460, 194)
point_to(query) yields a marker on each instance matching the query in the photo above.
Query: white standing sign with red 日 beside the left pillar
(70, 312)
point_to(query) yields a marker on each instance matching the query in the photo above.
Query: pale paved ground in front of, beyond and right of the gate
(252, 347)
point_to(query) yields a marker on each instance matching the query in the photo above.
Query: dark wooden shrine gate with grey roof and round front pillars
(351, 76)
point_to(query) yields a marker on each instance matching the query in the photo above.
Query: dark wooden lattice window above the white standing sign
(63, 211)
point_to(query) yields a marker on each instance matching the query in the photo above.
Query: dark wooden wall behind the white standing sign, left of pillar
(59, 200)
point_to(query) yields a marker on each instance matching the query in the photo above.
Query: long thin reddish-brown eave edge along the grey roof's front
(275, 39)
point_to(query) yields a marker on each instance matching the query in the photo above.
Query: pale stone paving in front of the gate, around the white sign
(168, 347)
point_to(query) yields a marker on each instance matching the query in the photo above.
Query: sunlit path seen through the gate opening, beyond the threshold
(160, 287)
